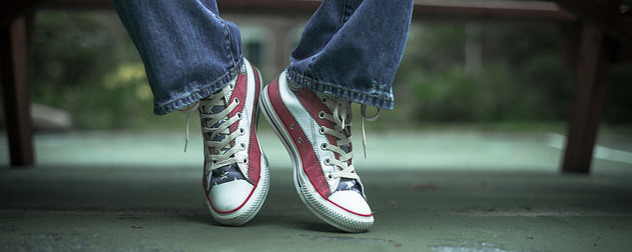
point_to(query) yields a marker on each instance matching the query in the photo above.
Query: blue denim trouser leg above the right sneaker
(352, 49)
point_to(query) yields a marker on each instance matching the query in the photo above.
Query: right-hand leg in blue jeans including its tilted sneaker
(347, 53)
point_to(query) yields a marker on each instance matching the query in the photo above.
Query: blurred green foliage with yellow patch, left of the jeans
(84, 62)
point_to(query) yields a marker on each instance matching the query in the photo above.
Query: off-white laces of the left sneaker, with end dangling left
(216, 124)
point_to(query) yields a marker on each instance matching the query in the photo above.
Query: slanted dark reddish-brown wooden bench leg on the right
(592, 70)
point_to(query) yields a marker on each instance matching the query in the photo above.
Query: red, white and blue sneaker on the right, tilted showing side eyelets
(316, 130)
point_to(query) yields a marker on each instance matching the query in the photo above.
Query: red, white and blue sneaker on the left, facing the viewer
(236, 174)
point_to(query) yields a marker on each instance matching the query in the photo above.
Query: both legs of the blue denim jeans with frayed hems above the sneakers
(349, 49)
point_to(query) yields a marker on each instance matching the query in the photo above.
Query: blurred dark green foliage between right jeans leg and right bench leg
(521, 77)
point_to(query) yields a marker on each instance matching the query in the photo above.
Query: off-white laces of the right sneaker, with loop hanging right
(342, 110)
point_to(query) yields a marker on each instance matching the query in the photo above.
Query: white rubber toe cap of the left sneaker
(230, 196)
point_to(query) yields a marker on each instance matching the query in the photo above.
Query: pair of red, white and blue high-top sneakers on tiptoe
(315, 129)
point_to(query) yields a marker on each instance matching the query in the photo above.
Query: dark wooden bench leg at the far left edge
(13, 55)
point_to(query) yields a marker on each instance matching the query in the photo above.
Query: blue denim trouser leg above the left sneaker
(189, 52)
